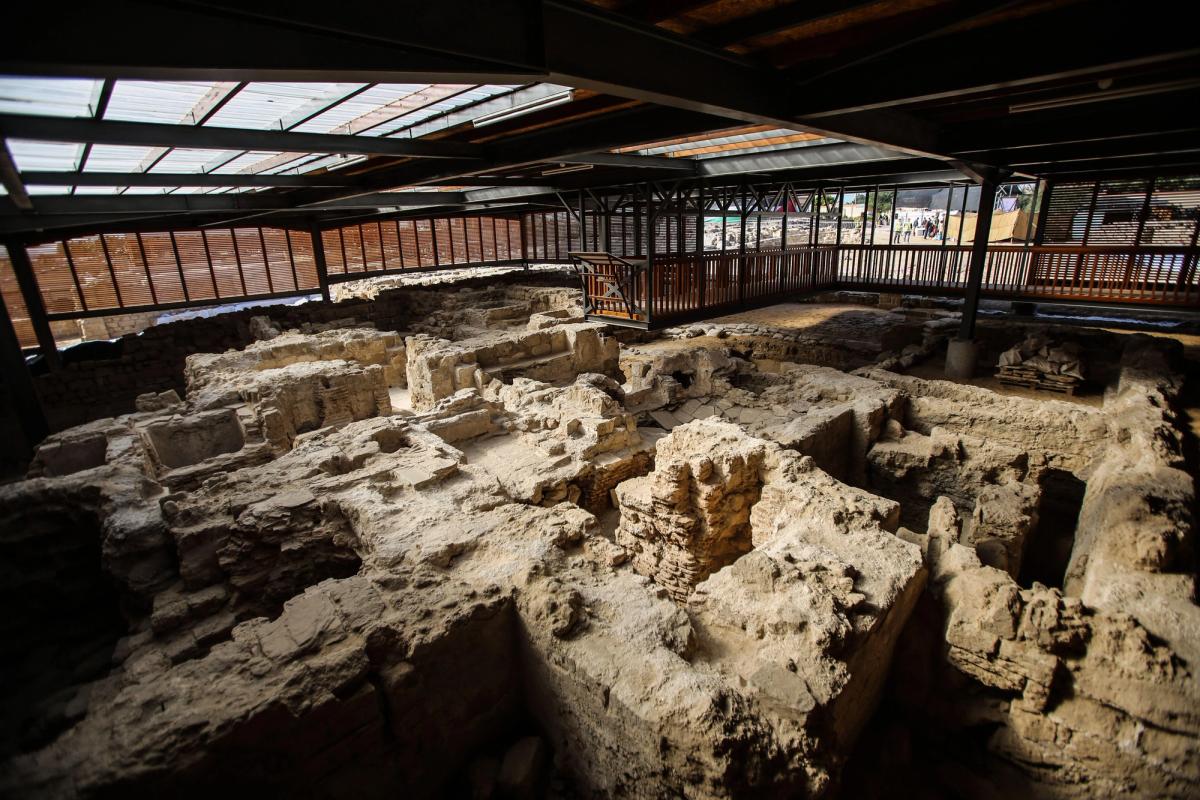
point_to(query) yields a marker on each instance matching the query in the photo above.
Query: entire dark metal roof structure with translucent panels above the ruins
(131, 113)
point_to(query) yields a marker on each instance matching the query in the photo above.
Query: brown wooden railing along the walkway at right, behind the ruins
(700, 285)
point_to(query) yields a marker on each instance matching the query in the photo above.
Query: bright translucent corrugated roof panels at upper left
(359, 110)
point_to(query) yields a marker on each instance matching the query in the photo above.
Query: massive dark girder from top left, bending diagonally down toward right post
(507, 41)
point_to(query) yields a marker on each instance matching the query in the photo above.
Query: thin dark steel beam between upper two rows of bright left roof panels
(61, 129)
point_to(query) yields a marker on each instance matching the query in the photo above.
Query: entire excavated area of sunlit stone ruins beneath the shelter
(753, 557)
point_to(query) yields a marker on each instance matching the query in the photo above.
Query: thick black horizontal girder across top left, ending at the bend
(177, 43)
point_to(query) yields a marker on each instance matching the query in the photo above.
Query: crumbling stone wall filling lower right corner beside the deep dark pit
(1085, 691)
